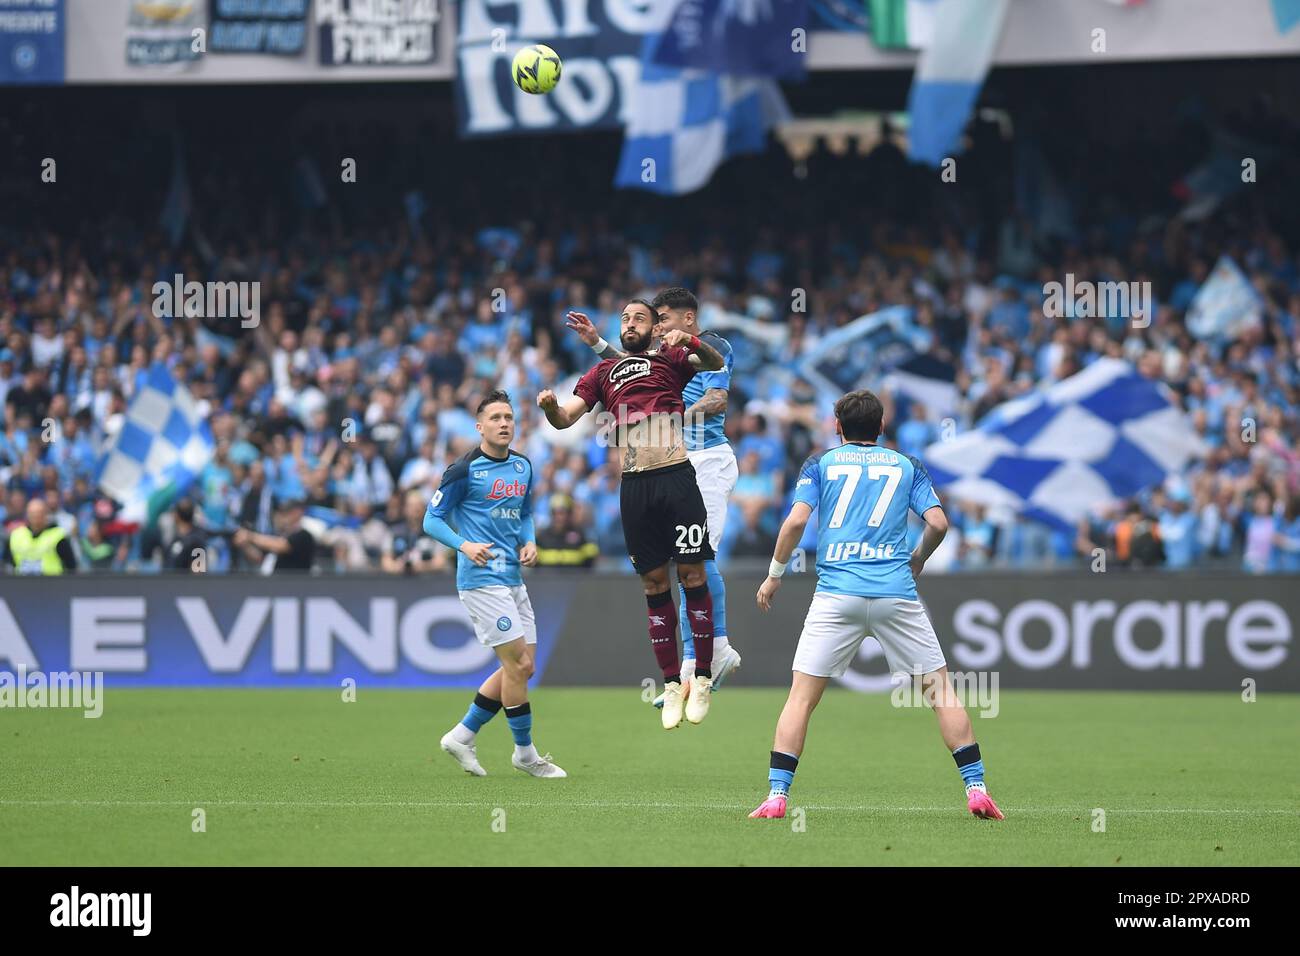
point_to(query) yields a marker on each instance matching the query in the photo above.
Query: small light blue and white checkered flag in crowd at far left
(164, 442)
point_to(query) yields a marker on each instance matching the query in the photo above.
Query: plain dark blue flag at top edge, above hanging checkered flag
(744, 38)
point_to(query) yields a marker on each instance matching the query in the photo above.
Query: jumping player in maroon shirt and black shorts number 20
(664, 513)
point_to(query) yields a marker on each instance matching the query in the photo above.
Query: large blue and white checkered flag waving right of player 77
(1097, 438)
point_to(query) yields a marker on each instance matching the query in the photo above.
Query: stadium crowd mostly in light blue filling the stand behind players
(336, 417)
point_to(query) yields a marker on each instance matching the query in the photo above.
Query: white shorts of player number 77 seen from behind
(837, 626)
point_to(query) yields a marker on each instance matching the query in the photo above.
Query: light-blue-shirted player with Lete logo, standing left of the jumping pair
(488, 495)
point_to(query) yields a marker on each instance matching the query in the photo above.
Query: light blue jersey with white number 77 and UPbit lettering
(863, 495)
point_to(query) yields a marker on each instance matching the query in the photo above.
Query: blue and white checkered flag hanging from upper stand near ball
(684, 124)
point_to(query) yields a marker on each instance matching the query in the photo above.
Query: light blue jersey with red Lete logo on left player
(488, 500)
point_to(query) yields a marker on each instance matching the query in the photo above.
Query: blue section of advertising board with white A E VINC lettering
(257, 631)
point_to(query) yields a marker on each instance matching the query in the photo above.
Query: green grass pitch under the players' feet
(302, 777)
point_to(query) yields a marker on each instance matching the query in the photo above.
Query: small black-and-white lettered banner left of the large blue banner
(370, 34)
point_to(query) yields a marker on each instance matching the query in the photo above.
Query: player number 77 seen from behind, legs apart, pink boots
(866, 586)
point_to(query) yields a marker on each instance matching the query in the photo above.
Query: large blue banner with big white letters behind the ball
(601, 44)
